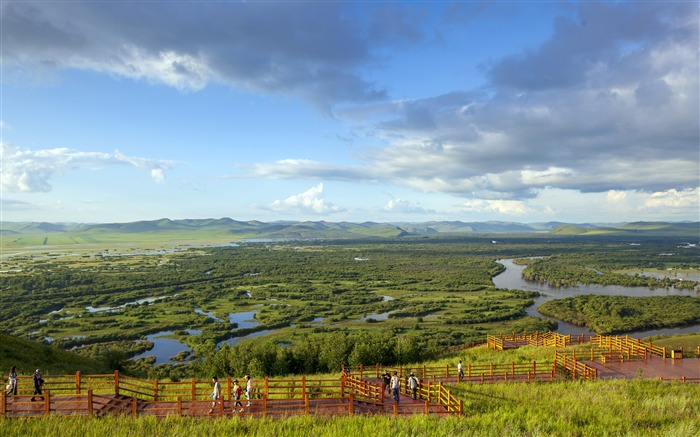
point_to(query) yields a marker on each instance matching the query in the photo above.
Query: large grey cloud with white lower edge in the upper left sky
(313, 50)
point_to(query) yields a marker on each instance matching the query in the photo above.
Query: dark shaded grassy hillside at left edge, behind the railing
(28, 355)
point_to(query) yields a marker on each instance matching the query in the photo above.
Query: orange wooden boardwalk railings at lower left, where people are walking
(119, 394)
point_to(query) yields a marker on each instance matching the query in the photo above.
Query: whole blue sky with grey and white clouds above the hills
(385, 111)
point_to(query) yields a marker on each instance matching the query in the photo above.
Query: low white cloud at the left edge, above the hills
(33, 170)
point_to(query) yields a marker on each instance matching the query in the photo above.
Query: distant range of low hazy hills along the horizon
(227, 229)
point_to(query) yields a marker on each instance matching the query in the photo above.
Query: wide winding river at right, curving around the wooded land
(512, 278)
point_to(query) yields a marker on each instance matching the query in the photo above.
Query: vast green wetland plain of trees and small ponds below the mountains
(319, 303)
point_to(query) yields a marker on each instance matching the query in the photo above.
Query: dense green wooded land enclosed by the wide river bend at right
(614, 314)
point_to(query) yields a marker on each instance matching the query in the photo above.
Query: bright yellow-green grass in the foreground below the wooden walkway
(566, 408)
